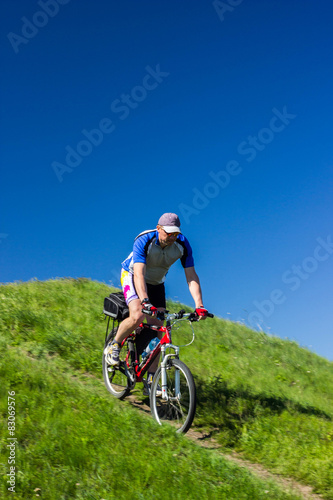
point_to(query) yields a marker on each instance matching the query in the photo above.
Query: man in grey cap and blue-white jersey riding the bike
(142, 279)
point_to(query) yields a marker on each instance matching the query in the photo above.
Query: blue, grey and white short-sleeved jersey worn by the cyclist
(147, 250)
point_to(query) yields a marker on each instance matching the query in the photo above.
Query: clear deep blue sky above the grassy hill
(115, 112)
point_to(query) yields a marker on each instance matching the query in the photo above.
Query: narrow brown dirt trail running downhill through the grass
(205, 440)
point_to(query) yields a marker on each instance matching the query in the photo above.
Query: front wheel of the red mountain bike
(179, 407)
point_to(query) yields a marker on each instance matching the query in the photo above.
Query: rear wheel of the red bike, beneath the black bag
(115, 378)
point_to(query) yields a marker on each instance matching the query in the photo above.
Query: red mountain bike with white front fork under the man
(173, 378)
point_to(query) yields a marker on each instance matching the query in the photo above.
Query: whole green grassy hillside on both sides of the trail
(264, 397)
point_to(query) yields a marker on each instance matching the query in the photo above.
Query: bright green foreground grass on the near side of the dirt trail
(76, 442)
